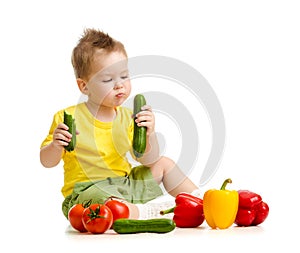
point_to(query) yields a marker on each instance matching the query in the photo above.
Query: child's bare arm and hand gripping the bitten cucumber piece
(51, 154)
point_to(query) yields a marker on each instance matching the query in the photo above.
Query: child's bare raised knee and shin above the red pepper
(166, 171)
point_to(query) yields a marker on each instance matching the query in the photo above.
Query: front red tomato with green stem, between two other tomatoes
(97, 218)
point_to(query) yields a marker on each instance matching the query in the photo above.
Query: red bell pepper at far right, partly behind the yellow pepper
(252, 210)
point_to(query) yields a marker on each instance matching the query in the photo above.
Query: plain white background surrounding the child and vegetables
(247, 50)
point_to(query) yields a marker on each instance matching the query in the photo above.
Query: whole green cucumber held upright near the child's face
(139, 133)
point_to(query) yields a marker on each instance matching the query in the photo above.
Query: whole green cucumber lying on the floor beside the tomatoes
(133, 226)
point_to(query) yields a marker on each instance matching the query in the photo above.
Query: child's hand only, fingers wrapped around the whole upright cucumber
(146, 118)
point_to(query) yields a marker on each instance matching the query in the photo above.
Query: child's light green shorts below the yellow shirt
(138, 187)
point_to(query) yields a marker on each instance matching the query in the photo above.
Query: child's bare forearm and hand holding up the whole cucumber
(146, 118)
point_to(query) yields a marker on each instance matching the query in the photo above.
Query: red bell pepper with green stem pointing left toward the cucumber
(188, 212)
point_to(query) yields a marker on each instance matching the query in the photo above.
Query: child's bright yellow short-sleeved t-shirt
(101, 147)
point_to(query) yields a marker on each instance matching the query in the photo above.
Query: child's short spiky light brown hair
(91, 41)
